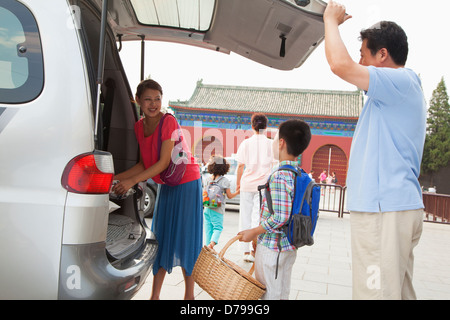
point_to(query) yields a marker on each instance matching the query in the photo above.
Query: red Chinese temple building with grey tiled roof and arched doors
(216, 119)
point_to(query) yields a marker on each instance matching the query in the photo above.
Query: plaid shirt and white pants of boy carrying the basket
(282, 192)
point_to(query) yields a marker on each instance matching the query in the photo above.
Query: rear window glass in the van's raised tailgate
(187, 14)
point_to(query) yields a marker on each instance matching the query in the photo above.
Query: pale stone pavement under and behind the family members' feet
(323, 271)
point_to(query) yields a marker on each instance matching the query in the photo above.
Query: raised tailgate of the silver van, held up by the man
(277, 33)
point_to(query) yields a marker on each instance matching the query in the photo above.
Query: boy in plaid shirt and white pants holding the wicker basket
(275, 255)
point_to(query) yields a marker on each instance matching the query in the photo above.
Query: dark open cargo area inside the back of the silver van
(127, 233)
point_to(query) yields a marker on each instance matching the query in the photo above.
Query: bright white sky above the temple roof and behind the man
(178, 67)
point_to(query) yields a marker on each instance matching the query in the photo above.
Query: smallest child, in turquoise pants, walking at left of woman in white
(213, 216)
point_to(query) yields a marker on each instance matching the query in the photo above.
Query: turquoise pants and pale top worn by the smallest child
(213, 217)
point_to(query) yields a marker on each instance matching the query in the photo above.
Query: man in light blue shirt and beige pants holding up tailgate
(384, 195)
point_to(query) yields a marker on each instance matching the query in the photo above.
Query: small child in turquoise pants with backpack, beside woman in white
(216, 187)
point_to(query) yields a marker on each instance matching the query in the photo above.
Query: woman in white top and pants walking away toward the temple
(255, 162)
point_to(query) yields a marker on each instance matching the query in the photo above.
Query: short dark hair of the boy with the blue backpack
(297, 135)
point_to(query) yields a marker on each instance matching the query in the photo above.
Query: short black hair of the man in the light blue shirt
(389, 35)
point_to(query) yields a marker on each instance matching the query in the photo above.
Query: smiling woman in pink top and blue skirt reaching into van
(178, 217)
